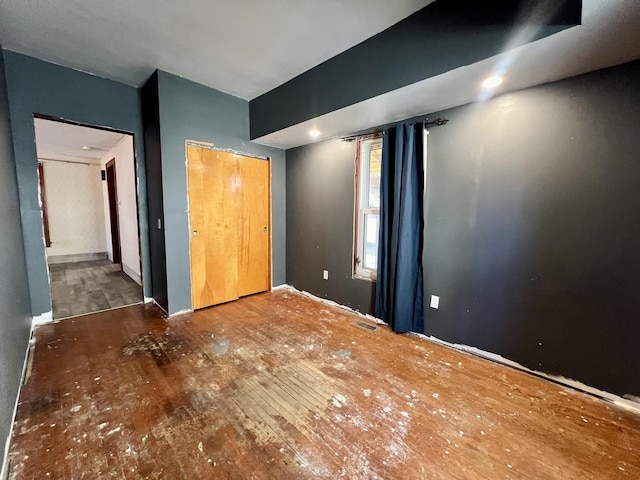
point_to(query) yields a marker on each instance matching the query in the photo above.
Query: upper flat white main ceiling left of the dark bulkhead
(241, 47)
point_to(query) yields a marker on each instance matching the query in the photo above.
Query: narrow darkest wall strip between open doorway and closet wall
(151, 122)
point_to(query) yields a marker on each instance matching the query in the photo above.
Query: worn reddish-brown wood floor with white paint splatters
(280, 386)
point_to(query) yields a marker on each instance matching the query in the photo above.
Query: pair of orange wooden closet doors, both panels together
(229, 215)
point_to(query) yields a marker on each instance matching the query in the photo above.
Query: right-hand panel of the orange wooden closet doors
(254, 236)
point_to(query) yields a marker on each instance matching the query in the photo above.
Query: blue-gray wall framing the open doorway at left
(36, 86)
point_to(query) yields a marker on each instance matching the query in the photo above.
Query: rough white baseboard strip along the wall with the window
(628, 402)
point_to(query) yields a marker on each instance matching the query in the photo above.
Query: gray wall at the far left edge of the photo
(15, 309)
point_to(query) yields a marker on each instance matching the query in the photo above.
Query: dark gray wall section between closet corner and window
(320, 209)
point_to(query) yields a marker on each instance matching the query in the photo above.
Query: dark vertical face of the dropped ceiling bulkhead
(444, 35)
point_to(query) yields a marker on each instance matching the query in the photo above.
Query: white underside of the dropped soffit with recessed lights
(609, 35)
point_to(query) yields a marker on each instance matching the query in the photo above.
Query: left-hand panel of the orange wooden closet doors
(213, 212)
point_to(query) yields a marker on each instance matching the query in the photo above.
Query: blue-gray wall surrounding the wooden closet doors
(190, 111)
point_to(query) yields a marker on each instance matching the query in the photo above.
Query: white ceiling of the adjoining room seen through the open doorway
(59, 140)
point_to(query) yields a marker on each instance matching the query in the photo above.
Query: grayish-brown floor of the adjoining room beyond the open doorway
(85, 287)
